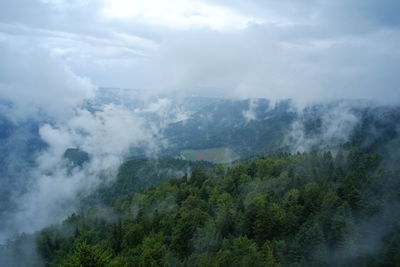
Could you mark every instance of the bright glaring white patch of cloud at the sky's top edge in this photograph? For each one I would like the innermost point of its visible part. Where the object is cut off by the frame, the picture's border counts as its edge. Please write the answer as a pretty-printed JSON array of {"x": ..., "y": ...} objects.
[{"x": 181, "y": 14}]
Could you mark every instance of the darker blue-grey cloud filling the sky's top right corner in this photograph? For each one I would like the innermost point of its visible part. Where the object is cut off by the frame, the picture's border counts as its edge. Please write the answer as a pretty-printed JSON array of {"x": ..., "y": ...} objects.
[{"x": 341, "y": 16}]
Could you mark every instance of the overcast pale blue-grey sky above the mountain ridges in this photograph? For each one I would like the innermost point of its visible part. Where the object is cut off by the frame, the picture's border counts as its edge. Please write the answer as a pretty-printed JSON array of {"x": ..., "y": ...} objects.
[{"x": 307, "y": 50}]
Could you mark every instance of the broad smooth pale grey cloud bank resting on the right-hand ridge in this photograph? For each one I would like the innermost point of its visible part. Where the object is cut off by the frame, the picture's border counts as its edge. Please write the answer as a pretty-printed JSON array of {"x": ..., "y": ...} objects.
[{"x": 256, "y": 62}]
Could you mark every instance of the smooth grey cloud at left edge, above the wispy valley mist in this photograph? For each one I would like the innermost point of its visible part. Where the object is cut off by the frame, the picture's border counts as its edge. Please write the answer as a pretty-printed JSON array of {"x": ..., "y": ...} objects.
[{"x": 34, "y": 83}]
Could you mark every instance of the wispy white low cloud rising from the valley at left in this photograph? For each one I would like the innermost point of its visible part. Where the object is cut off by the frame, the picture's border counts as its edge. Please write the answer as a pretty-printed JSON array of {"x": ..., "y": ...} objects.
[{"x": 106, "y": 136}]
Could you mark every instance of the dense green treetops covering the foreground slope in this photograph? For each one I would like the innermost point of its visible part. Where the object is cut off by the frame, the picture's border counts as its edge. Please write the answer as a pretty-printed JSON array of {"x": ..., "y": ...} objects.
[{"x": 296, "y": 210}]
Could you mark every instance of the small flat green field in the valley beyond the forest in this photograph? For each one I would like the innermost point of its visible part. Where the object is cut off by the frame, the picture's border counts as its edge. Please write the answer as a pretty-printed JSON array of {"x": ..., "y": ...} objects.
[{"x": 215, "y": 155}]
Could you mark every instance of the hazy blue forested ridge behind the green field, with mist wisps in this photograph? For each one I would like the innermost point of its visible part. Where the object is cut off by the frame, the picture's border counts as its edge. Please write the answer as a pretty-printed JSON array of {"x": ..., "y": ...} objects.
[{"x": 255, "y": 127}]
